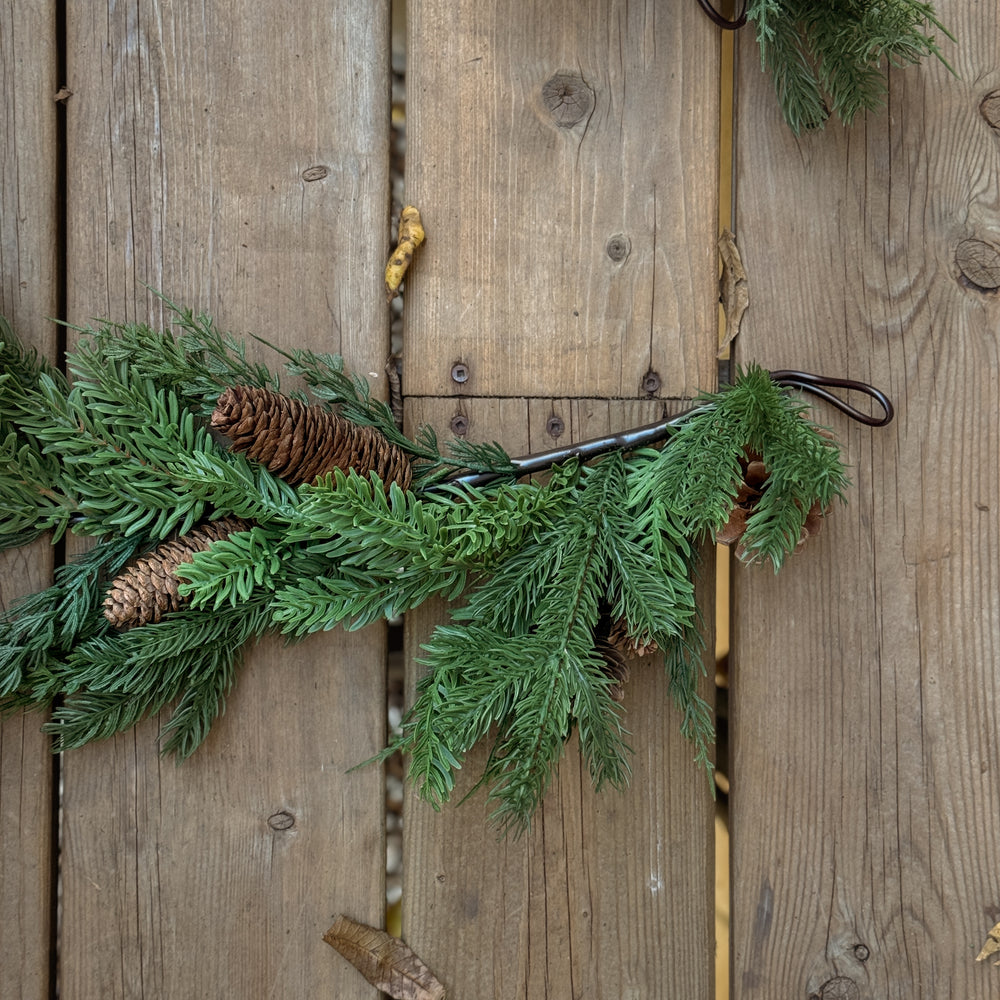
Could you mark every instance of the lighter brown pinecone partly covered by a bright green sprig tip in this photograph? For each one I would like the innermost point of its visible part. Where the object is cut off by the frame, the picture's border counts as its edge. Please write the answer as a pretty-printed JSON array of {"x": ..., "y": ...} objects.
[{"x": 147, "y": 588}]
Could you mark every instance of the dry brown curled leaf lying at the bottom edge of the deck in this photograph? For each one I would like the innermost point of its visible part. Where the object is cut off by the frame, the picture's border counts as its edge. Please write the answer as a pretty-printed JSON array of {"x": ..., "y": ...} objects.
[{"x": 383, "y": 960}]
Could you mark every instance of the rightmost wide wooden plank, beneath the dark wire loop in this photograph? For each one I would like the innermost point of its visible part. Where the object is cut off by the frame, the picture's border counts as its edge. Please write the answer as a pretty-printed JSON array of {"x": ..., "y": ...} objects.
[{"x": 865, "y": 800}]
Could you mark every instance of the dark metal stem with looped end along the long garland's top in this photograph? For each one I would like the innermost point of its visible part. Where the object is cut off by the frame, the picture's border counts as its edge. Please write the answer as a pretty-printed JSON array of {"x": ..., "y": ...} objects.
[{"x": 639, "y": 437}]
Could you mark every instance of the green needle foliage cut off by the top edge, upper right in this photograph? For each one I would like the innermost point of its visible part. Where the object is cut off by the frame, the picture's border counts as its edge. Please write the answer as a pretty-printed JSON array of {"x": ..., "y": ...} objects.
[{"x": 820, "y": 51}]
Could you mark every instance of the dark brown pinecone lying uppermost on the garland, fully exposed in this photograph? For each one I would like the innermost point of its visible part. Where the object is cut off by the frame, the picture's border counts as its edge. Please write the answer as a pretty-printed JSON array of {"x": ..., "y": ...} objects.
[{"x": 299, "y": 443}]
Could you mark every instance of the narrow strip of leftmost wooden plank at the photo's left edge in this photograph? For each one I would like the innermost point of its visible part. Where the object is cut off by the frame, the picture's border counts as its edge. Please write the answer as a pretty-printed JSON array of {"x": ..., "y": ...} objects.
[{"x": 29, "y": 295}]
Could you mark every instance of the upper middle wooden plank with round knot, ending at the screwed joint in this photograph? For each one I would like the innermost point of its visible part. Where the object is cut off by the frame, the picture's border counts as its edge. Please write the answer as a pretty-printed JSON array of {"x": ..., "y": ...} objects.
[{"x": 574, "y": 251}]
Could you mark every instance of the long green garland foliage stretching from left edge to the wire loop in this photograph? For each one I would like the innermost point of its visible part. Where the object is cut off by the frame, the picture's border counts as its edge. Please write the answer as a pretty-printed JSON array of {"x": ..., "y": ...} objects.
[{"x": 121, "y": 451}]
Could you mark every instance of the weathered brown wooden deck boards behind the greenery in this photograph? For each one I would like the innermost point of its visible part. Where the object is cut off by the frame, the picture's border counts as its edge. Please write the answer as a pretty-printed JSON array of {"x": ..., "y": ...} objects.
[{"x": 566, "y": 158}]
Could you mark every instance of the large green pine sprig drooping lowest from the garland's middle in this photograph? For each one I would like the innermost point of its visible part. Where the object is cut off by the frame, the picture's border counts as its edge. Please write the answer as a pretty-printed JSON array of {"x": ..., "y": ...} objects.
[{"x": 533, "y": 681}]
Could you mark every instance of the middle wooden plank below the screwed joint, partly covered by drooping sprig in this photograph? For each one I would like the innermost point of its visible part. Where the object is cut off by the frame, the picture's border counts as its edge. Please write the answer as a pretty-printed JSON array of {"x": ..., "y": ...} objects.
[{"x": 610, "y": 893}]
